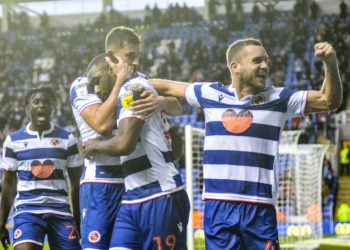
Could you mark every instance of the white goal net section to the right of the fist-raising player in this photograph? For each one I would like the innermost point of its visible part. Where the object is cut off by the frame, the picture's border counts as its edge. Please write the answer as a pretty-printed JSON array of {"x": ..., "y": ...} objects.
[{"x": 299, "y": 203}]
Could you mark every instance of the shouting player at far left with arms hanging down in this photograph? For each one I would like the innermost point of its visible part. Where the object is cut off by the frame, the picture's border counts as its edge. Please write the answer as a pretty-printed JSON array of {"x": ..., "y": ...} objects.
[{"x": 36, "y": 159}]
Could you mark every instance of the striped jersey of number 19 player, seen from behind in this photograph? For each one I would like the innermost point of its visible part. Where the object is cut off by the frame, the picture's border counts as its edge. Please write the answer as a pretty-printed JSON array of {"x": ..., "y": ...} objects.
[{"x": 149, "y": 171}]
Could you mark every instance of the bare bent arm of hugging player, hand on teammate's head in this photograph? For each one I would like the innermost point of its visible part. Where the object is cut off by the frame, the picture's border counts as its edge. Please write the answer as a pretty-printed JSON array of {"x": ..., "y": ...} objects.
[{"x": 101, "y": 117}]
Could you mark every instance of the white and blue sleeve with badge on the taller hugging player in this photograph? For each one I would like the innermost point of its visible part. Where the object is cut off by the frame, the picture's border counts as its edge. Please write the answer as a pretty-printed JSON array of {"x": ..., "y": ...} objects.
[{"x": 82, "y": 94}]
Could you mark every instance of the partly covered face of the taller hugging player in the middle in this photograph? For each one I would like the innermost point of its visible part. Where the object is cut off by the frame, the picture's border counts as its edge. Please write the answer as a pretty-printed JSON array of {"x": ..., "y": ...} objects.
[{"x": 130, "y": 53}]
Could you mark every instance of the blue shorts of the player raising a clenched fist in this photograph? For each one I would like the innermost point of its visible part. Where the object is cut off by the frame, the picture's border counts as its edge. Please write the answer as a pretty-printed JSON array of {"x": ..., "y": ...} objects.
[{"x": 240, "y": 225}]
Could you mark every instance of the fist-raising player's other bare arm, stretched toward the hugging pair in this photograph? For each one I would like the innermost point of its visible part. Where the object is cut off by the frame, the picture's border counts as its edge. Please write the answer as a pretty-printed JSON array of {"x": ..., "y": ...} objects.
[{"x": 169, "y": 88}]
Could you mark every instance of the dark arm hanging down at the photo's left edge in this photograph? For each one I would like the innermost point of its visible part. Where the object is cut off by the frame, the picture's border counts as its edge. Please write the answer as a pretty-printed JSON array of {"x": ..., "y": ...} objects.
[{"x": 9, "y": 189}]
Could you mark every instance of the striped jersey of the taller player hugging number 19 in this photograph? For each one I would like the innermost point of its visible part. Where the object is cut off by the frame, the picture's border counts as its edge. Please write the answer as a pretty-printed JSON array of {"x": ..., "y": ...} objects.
[{"x": 101, "y": 168}]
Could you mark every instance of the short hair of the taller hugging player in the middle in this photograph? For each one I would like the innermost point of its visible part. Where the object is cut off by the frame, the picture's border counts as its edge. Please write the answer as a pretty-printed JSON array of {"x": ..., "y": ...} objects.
[{"x": 118, "y": 35}]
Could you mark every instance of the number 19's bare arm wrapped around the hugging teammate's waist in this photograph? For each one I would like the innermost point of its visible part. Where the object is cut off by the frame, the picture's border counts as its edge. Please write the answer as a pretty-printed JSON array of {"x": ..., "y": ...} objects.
[{"x": 123, "y": 143}]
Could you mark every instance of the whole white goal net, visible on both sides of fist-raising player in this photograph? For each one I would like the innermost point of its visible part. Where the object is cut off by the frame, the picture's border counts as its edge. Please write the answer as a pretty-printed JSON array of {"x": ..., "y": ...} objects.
[{"x": 298, "y": 207}]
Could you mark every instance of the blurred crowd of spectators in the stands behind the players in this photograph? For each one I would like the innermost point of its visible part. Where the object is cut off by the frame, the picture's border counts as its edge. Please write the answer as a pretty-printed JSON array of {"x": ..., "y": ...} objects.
[{"x": 31, "y": 56}]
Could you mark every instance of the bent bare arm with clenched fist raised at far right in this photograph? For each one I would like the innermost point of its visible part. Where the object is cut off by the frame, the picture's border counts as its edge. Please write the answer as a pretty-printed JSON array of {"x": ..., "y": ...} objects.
[{"x": 330, "y": 95}]
